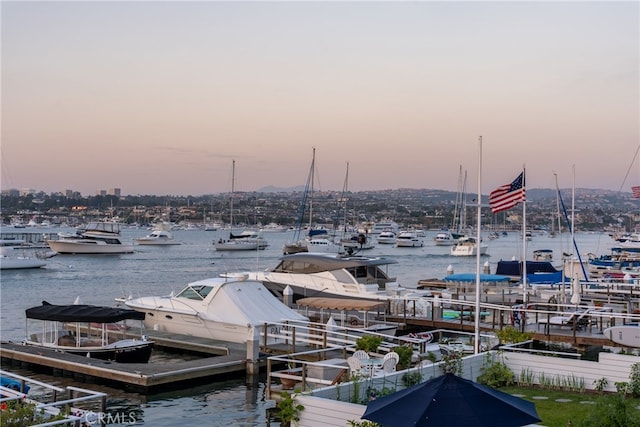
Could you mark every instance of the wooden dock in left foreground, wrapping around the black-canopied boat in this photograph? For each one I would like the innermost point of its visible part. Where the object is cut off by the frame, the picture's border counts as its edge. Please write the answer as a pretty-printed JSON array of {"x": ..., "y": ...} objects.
[{"x": 218, "y": 360}]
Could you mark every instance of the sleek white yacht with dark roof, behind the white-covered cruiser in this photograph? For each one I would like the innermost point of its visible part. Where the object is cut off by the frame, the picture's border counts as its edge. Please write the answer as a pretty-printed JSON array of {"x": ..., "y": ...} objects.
[{"x": 330, "y": 275}]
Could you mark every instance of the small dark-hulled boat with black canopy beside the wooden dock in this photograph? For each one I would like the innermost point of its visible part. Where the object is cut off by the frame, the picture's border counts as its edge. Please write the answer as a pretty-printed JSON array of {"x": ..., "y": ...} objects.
[{"x": 98, "y": 332}]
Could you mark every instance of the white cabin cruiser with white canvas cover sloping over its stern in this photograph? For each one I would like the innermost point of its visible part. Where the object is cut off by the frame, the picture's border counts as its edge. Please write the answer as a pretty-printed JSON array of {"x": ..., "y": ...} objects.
[{"x": 229, "y": 308}]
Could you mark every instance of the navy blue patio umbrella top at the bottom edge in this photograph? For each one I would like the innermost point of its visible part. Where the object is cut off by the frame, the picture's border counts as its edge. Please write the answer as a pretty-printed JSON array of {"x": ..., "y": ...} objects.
[{"x": 451, "y": 401}]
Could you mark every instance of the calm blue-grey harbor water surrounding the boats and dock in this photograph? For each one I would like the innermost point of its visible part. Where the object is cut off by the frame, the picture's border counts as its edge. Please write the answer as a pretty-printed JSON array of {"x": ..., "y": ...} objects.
[{"x": 99, "y": 279}]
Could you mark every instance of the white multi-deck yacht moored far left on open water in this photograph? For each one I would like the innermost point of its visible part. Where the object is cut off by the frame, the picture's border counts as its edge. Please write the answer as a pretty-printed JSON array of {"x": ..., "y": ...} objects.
[{"x": 95, "y": 238}]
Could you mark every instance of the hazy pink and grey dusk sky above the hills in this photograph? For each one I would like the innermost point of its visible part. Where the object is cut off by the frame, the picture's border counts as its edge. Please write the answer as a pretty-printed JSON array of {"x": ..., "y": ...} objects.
[{"x": 160, "y": 97}]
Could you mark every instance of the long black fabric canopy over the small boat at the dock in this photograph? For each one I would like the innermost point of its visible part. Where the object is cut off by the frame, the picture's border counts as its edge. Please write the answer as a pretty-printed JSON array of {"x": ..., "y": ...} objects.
[{"x": 81, "y": 313}]
